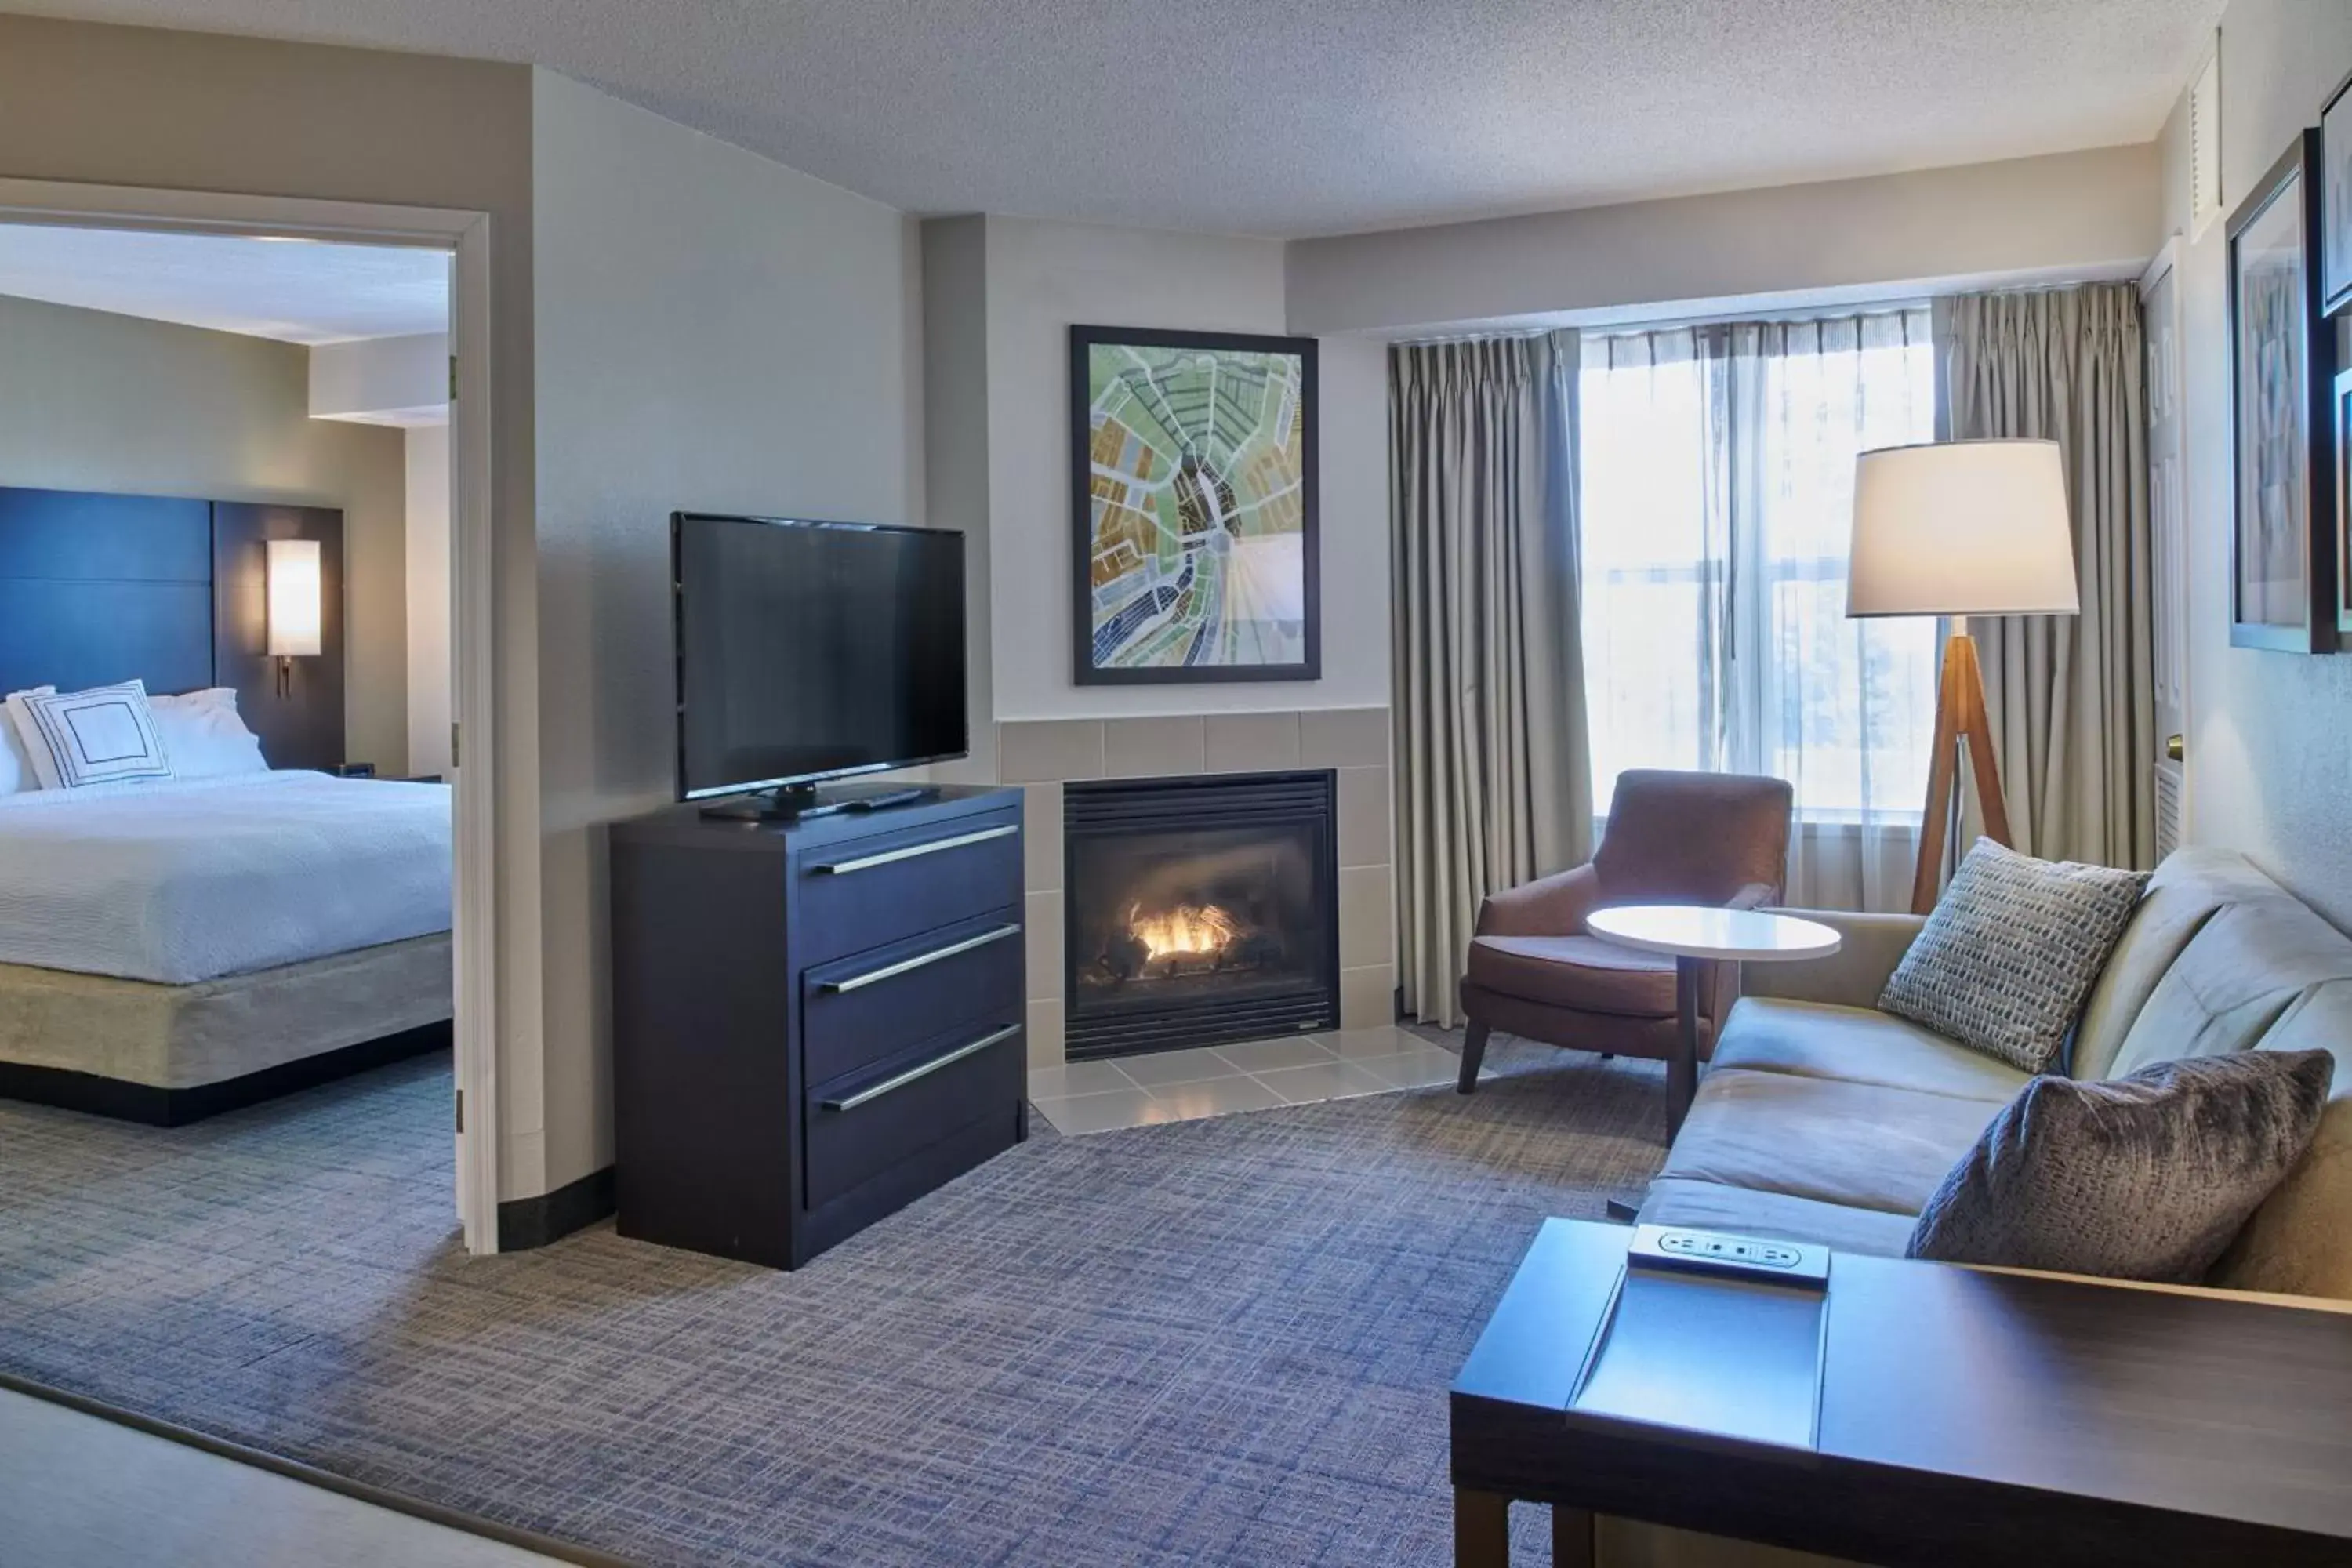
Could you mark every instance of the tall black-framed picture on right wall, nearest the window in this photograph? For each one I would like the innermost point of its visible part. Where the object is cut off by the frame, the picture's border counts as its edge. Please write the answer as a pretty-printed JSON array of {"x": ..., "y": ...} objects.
[{"x": 2283, "y": 544}]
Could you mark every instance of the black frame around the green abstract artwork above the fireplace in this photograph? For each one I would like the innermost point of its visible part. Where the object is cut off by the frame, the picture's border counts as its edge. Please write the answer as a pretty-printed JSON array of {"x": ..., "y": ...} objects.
[{"x": 1085, "y": 669}]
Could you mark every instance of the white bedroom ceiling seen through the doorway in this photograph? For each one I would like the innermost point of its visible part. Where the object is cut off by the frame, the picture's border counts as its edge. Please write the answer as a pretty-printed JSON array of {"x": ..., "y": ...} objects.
[{"x": 298, "y": 293}]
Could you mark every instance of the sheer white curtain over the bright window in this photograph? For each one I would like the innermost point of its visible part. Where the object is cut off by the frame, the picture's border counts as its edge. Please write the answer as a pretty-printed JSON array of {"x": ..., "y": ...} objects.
[{"x": 1718, "y": 490}]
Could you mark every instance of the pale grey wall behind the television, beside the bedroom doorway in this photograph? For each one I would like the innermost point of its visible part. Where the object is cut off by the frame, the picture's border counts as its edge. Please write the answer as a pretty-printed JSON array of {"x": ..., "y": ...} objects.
[{"x": 716, "y": 333}]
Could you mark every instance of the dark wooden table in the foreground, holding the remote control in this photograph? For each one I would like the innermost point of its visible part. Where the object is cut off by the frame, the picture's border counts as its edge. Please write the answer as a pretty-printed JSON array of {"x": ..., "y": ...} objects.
[{"x": 1963, "y": 1419}]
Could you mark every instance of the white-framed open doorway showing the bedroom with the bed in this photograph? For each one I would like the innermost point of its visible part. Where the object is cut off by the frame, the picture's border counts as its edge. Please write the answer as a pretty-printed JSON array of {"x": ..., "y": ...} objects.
[{"x": 232, "y": 610}]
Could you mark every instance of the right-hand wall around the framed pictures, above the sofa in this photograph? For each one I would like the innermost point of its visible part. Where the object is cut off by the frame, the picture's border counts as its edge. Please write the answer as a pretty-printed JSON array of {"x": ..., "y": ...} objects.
[{"x": 2271, "y": 735}]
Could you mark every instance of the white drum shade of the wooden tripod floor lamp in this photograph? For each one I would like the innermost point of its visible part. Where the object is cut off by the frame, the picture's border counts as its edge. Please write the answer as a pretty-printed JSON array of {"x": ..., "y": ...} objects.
[{"x": 1963, "y": 530}]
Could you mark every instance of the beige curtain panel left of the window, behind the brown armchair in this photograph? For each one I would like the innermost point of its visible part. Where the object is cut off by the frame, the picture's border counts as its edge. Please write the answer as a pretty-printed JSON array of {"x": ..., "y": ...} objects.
[{"x": 1495, "y": 784}]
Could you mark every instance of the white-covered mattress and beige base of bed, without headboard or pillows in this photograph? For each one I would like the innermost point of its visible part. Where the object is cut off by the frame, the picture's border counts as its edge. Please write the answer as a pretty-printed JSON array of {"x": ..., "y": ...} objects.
[{"x": 180, "y": 949}]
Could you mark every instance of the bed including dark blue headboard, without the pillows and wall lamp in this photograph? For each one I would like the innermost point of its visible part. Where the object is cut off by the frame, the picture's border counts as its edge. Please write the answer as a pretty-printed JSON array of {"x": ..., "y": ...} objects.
[{"x": 175, "y": 949}]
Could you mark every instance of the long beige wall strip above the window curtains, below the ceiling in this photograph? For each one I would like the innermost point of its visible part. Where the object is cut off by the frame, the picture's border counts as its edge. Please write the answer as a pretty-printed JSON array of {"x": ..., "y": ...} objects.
[{"x": 2069, "y": 215}]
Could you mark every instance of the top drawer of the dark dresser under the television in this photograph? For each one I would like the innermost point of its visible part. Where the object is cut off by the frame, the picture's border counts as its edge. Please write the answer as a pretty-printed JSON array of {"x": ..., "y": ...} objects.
[{"x": 883, "y": 887}]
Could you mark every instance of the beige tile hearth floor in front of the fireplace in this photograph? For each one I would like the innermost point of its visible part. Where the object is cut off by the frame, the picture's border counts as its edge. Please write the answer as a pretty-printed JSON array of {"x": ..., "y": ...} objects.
[{"x": 1217, "y": 1080}]
